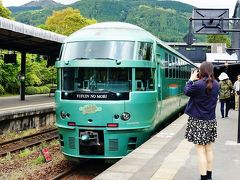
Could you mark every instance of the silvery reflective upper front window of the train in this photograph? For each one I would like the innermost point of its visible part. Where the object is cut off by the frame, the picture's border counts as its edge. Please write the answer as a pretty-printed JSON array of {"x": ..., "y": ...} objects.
[{"x": 99, "y": 49}]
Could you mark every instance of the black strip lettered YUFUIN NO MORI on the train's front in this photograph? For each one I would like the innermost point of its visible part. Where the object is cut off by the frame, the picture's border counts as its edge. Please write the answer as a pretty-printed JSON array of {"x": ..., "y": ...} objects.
[{"x": 95, "y": 95}]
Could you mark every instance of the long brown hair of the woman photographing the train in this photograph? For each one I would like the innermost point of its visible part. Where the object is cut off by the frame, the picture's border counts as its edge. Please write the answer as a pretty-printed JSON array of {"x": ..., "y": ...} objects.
[{"x": 206, "y": 71}]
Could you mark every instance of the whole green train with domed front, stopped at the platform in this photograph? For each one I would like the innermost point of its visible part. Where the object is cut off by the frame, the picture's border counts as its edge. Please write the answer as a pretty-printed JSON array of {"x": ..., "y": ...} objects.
[{"x": 116, "y": 84}]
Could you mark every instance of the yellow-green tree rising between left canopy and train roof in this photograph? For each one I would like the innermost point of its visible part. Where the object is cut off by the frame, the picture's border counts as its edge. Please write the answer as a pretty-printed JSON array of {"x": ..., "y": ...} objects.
[{"x": 67, "y": 21}]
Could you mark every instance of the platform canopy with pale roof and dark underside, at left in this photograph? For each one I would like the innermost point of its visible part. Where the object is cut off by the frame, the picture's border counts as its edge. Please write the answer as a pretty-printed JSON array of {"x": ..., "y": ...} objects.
[{"x": 25, "y": 38}]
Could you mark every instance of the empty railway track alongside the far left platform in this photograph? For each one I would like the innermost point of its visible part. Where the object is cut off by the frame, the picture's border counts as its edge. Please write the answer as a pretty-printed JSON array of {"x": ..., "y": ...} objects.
[{"x": 27, "y": 141}]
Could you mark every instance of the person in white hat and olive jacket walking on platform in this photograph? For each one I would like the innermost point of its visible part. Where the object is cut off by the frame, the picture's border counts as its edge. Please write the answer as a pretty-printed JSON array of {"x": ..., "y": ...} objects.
[{"x": 225, "y": 93}]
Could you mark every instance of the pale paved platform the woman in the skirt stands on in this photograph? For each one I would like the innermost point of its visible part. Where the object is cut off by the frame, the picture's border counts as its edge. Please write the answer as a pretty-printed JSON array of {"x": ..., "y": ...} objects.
[{"x": 169, "y": 156}]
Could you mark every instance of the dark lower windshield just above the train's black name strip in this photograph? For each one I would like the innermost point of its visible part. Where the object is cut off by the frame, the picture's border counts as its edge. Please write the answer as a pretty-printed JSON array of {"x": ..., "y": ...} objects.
[{"x": 96, "y": 79}]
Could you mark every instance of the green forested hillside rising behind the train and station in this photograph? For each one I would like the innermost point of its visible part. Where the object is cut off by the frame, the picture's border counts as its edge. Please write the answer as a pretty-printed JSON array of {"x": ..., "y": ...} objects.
[{"x": 167, "y": 20}]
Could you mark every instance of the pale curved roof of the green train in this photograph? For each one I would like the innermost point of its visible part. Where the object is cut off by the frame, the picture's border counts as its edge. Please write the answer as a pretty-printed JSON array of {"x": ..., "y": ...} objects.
[{"x": 117, "y": 31}]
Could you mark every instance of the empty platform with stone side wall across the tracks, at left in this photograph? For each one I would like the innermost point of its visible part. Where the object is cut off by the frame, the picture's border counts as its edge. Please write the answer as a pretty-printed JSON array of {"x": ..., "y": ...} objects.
[{"x": 37, "y": 111}]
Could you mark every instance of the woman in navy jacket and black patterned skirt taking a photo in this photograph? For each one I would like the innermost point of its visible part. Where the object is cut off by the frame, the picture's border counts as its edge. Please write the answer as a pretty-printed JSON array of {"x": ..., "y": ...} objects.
[{"x": 201, "y": 129}]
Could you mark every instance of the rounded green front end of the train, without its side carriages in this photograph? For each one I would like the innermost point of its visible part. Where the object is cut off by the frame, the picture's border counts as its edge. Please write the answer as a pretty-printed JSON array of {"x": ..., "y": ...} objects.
[{"x": 106, "y": 99}]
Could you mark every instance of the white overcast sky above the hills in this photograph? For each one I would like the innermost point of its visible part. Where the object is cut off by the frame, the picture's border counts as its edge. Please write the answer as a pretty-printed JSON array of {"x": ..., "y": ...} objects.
[{"x": 229, "y": 4}]
